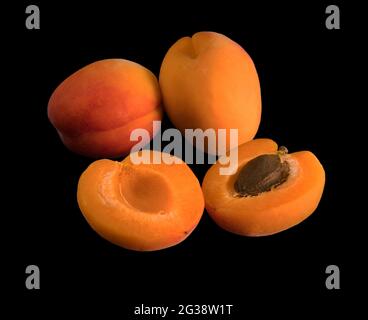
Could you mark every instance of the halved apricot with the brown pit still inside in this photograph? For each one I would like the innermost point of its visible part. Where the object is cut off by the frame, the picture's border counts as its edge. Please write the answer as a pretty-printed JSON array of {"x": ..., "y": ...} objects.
[{"x": 270, "y": 192}]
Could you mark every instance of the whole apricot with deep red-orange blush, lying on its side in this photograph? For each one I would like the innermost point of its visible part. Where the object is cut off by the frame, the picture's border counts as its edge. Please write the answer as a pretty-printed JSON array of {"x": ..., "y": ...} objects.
[{"x": 96, "y": 108}]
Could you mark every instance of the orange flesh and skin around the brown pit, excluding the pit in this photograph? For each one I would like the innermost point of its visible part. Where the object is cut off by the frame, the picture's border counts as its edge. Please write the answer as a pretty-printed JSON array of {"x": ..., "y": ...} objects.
[{"x": 270, "y": 212}]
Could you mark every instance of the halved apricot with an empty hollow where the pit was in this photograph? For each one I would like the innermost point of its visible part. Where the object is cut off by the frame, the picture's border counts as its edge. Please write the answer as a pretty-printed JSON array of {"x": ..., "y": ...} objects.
[{"x": 143, "y": 206}]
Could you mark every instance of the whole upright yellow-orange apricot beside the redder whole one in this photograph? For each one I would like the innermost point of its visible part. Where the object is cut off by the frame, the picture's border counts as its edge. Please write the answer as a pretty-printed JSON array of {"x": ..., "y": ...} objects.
[{"x": 209, "y": 81}]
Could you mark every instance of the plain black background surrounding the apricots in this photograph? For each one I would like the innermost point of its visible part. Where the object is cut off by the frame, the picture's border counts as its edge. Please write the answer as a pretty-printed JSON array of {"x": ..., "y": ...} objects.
[{"x": 306, "y": 81}]
